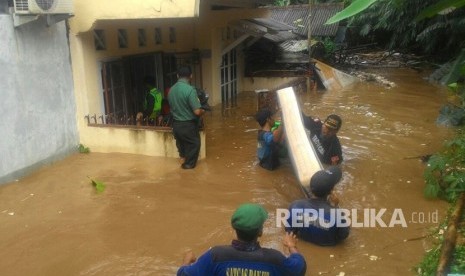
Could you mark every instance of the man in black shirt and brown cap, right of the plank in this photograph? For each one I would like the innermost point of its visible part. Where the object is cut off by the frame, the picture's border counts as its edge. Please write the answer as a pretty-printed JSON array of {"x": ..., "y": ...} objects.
[{"x": 323, "y": 136}]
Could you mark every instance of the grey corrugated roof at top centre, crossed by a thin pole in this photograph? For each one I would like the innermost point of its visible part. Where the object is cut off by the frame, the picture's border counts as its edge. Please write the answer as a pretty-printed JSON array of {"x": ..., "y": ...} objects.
[{"x": 298, "y": 16}]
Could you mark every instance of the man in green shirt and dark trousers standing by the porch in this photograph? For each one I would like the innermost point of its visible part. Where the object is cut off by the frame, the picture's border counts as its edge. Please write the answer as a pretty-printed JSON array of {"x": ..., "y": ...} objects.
[{"x": 186, "y": 111}]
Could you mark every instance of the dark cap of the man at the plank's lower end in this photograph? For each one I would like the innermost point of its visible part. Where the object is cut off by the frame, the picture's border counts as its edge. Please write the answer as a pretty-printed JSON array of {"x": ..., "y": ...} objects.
[{"x": 323, "y": 182}]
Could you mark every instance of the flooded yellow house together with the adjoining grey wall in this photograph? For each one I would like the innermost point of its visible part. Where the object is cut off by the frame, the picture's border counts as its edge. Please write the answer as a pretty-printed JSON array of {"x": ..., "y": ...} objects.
[{"x": 74, "y": 71}]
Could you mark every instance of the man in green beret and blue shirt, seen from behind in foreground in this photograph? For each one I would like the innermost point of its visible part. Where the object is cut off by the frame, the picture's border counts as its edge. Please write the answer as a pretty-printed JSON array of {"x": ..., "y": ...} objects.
[{"x": 245, "y": 256}]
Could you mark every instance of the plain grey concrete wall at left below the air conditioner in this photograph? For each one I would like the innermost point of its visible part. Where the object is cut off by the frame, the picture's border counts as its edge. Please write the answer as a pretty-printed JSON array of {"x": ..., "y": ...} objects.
[{"x": 38, "y": 122}]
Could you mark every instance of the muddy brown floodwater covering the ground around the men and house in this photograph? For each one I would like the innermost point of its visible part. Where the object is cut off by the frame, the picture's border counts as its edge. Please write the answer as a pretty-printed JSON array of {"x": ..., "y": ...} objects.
[{"x": 53, "y": 223}]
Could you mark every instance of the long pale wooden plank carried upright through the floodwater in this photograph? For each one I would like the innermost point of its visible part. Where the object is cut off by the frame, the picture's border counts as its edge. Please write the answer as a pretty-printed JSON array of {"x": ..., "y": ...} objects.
[{"x": 302, "y": 154}]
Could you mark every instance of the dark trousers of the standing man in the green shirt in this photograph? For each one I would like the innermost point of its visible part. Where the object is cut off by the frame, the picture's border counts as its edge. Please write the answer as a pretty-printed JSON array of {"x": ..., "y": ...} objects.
[{"x": 187, "y": 138}]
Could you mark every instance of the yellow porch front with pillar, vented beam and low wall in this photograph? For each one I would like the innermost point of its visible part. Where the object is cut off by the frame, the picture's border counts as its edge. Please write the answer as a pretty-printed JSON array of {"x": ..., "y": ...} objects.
[{"x": 88, "y": 84}]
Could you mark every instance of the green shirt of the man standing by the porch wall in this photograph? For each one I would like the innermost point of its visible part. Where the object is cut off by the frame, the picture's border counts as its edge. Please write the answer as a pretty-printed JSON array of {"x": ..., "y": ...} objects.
[{"x": 183, "y": 101}]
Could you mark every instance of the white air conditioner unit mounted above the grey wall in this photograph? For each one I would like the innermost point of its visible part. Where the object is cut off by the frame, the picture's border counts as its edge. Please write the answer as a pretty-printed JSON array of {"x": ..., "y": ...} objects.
[{"x": 43, "y": 6}]
